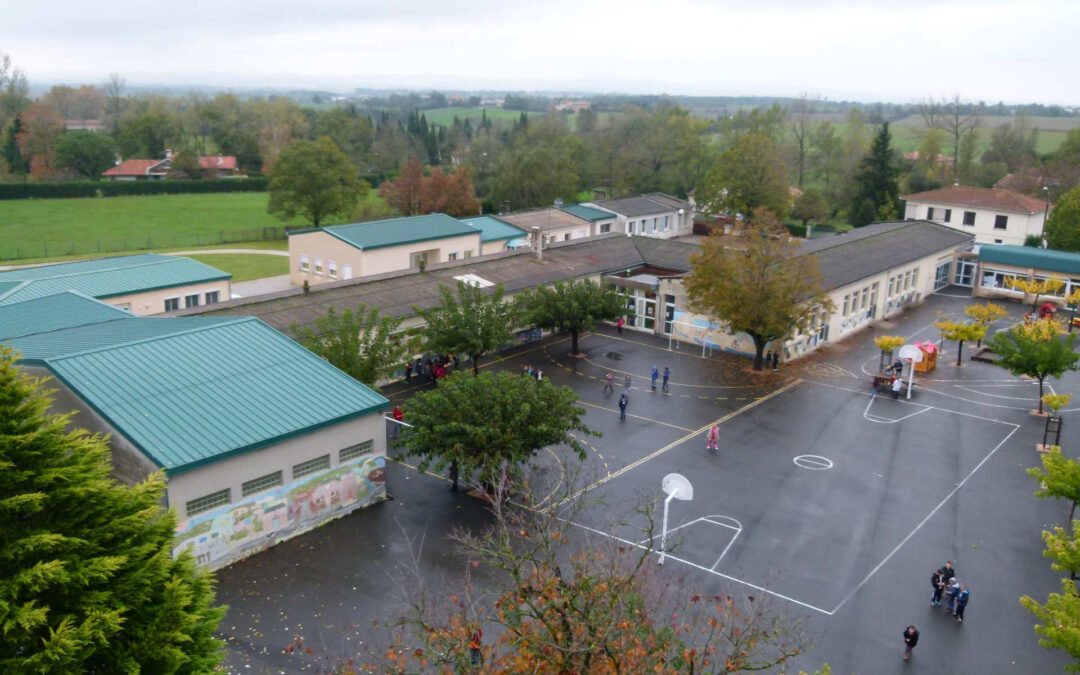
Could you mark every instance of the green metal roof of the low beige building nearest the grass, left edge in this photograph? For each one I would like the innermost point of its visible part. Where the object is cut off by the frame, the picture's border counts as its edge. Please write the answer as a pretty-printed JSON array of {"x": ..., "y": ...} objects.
[{"x": 106, "y": 277}]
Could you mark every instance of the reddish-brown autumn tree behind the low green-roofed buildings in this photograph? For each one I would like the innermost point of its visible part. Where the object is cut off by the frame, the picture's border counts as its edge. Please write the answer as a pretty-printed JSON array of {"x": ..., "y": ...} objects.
[{"x": 415, "y": 193}]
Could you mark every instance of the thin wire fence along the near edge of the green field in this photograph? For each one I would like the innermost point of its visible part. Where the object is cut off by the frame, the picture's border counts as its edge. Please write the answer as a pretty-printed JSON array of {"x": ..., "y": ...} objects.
[{"x": 17, "y": 251}]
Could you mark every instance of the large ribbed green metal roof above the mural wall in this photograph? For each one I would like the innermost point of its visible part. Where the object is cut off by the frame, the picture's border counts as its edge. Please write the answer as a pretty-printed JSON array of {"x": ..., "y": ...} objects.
[{"x": 191, "y": 391}]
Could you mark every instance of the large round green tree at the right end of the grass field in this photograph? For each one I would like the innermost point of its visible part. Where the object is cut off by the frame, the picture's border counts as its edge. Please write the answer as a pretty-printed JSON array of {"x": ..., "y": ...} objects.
[{"x": 316, "y": 181}]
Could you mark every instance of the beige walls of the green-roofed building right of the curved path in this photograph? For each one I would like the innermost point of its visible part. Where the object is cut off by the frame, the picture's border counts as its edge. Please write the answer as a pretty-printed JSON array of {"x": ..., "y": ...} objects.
[{"x": 341, "y": 261}]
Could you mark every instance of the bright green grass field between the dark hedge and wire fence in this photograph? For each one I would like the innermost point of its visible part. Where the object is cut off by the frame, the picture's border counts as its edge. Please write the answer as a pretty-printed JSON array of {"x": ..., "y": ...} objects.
[{"x": 34, "y": 229}]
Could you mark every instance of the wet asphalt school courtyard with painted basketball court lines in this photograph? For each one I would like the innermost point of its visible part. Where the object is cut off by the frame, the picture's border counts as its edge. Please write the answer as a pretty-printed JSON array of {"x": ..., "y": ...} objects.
[{"x": 836, "y": 503}]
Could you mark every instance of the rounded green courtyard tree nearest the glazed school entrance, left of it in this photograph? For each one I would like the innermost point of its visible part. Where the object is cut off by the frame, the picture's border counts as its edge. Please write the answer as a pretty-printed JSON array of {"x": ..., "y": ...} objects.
[{"x": 575, "y": 306}]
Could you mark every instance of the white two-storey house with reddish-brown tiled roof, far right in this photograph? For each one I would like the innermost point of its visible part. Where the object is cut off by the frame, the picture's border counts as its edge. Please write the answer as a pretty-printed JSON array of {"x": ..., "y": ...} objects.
[{"x": 994, "y": 217}]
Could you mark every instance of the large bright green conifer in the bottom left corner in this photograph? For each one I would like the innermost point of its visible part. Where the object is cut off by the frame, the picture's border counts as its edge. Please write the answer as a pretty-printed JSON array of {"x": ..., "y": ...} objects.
[{"x": 88, "y": 582}]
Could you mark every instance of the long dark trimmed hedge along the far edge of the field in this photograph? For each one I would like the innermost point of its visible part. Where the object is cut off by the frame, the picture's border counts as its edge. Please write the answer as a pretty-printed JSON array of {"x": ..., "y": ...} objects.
[{"x": 121, "y": 188}]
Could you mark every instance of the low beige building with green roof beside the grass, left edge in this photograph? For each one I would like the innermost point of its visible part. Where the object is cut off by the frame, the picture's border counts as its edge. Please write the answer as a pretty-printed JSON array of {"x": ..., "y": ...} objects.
[{"x": 142, "y": 285}]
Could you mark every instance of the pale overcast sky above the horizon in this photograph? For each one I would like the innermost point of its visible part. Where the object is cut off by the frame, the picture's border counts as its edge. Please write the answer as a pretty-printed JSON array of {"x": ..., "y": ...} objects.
[{"x": 1017, "y": 51}]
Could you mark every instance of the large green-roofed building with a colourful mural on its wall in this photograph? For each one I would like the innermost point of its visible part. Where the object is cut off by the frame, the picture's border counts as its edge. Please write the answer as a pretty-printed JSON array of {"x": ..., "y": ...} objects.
[{"x": 259, "y": 439}]
